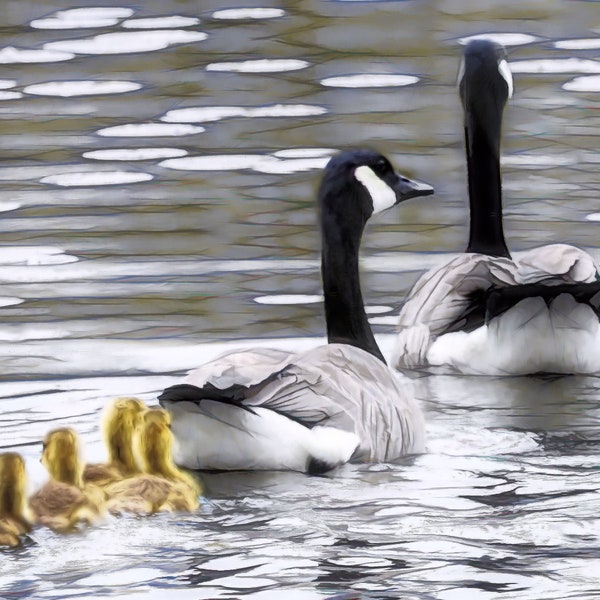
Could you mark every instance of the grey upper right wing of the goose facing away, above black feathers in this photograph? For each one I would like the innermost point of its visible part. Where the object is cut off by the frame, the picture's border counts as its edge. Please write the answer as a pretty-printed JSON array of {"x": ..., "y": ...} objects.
[{"x": 556, "y": 264}]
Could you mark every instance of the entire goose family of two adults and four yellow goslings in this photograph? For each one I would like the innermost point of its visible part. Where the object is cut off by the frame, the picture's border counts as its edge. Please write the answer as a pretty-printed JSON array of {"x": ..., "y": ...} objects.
[{"x": 482, "y": 312}]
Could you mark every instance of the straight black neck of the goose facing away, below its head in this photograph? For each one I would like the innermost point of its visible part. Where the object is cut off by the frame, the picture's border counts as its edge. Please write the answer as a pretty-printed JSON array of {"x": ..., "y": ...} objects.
[{"x": 486, "y": 235}]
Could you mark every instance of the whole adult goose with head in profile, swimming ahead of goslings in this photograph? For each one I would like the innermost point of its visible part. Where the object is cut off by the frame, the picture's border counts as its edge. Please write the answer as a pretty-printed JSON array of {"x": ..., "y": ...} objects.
[{"x": 312, "y": 411}]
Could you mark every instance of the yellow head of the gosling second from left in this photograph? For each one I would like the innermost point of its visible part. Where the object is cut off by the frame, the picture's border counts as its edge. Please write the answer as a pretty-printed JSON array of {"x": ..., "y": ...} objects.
[{"x": 61, "y": 457}]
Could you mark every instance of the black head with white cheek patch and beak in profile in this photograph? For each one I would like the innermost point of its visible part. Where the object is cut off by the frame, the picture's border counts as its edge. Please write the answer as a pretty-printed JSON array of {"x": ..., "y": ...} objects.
[{"x": 359, "y": 183}]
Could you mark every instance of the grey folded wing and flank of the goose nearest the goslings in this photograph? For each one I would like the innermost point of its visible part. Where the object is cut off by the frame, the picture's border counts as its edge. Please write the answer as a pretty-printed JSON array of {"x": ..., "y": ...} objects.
[{"x": 340, "y": 386}]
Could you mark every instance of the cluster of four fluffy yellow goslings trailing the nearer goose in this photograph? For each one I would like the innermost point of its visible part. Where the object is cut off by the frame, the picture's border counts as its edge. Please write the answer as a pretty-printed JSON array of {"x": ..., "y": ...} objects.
[{"x": 140, "y": 476}]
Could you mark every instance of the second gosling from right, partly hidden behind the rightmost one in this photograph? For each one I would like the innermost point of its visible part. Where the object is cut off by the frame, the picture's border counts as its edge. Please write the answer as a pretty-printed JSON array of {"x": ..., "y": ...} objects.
[{"x": 120, "y": 420}]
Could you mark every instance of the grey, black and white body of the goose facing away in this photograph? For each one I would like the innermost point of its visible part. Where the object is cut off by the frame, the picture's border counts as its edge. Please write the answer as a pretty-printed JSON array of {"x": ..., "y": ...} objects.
[{"x": 477, "y": 315}]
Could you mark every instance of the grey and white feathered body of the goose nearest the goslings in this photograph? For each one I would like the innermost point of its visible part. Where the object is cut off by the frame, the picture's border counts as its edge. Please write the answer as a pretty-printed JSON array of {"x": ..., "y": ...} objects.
[{"x": 330, "y": 404}]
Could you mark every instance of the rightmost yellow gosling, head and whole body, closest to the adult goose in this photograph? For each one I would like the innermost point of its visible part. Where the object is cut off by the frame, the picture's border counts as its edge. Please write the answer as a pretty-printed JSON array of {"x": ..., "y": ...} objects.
[{"x": 161, "y": 486}]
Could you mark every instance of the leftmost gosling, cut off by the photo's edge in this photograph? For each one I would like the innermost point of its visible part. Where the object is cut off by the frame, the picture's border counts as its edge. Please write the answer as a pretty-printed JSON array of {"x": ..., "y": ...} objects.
[{"x": 14, "y": 521}]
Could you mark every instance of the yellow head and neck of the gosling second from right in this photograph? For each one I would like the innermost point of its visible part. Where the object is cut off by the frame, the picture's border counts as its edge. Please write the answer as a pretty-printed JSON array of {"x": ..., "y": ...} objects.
[{"x": 120, "y": 421}]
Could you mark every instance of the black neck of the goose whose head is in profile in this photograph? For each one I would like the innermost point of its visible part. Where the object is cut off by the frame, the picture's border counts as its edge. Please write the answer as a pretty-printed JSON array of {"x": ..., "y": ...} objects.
[{"x": 345, "y": 314}]
